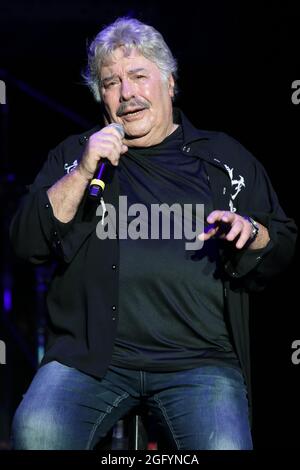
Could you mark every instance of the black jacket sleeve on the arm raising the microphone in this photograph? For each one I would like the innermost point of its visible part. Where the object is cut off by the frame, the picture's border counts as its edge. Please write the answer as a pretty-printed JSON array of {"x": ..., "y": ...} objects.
[{"x": 36, "y": 235}]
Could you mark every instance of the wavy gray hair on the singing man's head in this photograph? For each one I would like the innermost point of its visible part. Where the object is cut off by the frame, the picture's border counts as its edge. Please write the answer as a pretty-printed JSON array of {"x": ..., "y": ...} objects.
[{"x": 129, "y": 33}]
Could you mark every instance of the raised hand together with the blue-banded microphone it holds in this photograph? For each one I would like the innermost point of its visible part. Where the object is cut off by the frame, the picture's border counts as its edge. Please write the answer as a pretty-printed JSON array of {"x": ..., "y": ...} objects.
[{"x": 104, "y": 144}]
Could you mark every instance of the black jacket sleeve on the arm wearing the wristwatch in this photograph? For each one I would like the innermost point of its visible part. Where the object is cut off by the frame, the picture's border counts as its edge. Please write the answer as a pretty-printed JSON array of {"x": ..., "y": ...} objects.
[{"x": 255, "y": 268}]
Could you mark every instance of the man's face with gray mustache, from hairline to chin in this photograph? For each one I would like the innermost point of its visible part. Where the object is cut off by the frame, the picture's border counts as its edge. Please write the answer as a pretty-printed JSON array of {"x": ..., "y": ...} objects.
[{"x": 135, "y": 95}]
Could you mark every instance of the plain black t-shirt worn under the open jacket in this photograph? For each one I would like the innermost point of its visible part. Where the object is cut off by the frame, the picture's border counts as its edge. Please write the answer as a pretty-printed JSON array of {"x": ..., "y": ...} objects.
[{"x": 171, "y": 306}]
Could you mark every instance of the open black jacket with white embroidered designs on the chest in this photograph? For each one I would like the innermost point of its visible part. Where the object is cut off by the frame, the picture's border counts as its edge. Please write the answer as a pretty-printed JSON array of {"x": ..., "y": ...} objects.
[{"x": 83, "y": 297}]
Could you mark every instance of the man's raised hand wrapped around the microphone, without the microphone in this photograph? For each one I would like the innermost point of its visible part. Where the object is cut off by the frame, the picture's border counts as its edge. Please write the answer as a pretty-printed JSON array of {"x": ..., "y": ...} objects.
[{"x": 106, "y": 143}]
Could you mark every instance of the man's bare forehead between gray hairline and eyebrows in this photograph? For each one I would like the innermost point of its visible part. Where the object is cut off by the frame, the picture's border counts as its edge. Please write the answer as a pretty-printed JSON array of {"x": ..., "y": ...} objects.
[{"x": 118, "y": 61}]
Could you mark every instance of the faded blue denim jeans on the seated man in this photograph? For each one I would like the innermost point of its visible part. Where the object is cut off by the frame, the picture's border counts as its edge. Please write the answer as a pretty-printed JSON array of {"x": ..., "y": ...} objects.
[{"x": 197, "y": 409}]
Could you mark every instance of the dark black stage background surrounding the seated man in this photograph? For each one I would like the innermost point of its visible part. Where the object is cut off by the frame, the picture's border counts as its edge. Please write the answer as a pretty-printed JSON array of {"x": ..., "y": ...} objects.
[{"x": 237, "y": 62}]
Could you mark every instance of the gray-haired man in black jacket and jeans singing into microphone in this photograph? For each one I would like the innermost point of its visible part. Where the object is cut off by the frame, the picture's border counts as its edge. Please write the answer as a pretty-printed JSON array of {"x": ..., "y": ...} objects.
[{"x": 134, "y": 319}]
